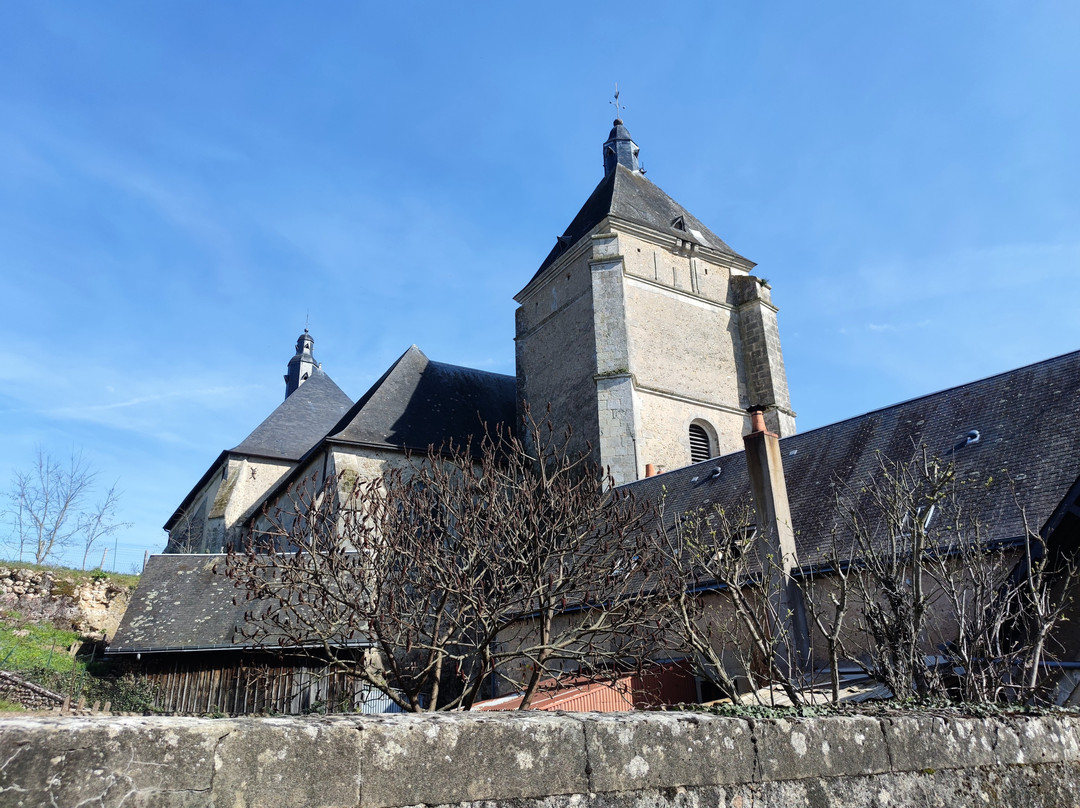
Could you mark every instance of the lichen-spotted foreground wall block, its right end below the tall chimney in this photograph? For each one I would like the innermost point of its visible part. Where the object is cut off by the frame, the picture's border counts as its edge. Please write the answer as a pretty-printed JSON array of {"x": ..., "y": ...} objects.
[{"x": 630, "y": 751}]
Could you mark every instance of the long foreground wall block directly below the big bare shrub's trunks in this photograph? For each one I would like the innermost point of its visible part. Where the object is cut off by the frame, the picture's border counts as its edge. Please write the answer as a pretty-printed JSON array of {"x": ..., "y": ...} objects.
[{"x": 450, "y": 759}]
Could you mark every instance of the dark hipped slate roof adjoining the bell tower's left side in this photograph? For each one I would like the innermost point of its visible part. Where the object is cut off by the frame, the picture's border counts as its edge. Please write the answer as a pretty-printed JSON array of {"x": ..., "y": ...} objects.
[{"x": 421, "y": 403}]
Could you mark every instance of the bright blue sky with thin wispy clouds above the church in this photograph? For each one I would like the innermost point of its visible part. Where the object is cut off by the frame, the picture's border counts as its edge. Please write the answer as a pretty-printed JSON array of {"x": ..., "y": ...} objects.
[{"x": 183, "y": 184}]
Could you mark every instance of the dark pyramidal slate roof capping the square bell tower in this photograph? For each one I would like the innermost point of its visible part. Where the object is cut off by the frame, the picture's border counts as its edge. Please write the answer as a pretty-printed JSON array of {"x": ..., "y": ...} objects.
[{"x": 628, "y": 195}]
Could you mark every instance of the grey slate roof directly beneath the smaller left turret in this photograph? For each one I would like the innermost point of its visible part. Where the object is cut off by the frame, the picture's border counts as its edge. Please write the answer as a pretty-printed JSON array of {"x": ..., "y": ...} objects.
[{"x": 300, "y": 422}]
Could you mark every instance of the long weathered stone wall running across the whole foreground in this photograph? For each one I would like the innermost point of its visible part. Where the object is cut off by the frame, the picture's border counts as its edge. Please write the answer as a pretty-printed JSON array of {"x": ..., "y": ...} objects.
[{"x": 541, "y": 761}]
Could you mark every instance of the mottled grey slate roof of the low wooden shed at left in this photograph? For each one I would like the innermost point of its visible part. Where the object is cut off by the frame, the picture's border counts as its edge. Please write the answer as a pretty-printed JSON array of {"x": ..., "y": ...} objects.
[{"x": 181, "y": 604}]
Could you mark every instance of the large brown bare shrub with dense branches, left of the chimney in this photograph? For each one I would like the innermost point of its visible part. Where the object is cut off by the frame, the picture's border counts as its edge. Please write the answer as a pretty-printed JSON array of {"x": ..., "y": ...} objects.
[{"x": 502, "y": 565}]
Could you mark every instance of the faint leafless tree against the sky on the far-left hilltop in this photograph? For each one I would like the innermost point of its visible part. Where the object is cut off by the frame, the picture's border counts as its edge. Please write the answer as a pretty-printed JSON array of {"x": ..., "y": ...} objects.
[{"x": 52, "y": 511}]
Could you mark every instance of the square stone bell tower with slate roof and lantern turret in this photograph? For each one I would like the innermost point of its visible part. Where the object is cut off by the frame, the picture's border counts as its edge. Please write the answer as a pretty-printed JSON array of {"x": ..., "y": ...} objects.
[{"x": 646, "y": 333}]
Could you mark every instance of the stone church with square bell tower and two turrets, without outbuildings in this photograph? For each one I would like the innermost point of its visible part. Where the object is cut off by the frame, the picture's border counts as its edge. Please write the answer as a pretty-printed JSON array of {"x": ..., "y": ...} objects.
[{"x": 642, "y": 329}]
